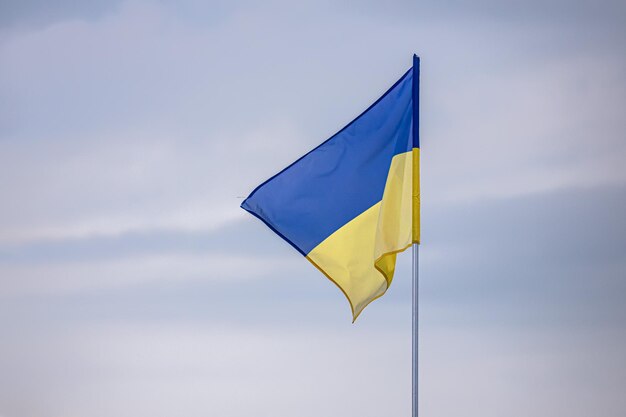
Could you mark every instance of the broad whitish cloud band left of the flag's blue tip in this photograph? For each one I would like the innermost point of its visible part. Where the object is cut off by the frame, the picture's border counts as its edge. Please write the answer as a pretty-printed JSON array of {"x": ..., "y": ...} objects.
[{"x": 134, "y": 181}]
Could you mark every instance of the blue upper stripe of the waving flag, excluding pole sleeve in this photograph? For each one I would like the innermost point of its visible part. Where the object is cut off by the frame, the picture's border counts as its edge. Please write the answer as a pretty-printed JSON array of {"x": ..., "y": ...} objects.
[{"x": 341, "y": 178}]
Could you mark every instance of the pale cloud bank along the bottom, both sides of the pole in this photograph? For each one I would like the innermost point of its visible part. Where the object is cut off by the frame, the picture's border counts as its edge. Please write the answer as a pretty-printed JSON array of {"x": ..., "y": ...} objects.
[{"x": 135, "y": 368}]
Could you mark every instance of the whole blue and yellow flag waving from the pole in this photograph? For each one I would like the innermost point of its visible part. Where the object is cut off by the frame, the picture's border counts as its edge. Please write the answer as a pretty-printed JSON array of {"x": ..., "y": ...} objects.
[{"x": 351, "y": 204}]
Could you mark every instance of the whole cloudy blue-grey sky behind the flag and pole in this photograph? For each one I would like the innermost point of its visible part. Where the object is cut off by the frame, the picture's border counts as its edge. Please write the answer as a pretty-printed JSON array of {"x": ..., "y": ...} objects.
[{"x": 132, "y": 284}]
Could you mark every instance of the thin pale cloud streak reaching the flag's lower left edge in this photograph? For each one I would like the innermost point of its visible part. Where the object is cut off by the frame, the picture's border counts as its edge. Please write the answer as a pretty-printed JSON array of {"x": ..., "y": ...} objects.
[{"x": 88, "y": 276}]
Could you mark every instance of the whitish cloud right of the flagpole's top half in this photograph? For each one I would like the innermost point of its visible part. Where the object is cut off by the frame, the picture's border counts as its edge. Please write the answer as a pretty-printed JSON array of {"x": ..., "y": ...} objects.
[{"x": 547, "y": 125}]
